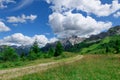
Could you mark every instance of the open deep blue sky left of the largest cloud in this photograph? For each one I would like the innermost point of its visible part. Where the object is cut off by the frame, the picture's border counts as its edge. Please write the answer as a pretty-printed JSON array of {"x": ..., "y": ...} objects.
[{"x": 38, "y": 26}]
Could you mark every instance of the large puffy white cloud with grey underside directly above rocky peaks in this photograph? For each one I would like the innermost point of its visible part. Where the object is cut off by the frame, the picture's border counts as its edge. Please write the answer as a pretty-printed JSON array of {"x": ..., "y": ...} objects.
[{"x": 68, "y": 24}]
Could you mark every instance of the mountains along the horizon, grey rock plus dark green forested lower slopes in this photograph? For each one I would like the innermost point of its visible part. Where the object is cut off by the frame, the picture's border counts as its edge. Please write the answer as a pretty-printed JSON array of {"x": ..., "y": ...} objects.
[{"x": 73, "y": 43}]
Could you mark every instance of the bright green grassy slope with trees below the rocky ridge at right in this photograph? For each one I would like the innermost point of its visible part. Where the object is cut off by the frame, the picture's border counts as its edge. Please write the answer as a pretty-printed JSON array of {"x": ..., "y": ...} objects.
[{"x": 106, "y": 45}]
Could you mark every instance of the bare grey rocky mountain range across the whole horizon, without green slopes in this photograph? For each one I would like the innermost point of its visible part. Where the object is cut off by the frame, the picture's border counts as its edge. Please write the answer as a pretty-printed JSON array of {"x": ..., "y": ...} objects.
[{"x": 71, "y": 41}]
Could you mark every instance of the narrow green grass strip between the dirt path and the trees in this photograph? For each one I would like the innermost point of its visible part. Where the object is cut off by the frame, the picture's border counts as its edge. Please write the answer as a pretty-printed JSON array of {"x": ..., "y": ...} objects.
[{"x": 8, "y": 65}]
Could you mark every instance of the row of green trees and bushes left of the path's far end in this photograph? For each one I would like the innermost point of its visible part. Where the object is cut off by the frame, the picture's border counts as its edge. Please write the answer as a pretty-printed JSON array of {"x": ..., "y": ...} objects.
[{"x": 10, "y": 54}]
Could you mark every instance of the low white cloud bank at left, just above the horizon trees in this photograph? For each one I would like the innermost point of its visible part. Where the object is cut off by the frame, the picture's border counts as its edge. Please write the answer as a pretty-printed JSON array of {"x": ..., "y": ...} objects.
[{"x": 20, "y": 39}]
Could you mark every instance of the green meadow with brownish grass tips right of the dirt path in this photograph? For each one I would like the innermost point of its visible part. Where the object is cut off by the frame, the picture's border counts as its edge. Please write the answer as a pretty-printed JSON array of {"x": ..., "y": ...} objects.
[{"x": 91, "y": 67}]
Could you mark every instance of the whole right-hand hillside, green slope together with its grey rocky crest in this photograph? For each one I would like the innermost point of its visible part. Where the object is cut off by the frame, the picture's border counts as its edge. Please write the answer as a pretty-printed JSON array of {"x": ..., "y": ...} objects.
[{"x": 105, "y": 42}]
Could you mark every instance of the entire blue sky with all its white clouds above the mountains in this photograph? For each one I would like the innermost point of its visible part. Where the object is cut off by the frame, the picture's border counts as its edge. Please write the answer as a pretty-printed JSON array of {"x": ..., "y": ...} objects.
[{"x": 24, "y": 21}]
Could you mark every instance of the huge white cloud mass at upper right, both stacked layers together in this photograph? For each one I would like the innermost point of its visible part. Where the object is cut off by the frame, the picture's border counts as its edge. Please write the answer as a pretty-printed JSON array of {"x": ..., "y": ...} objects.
[{"x": 65, "y": 23}]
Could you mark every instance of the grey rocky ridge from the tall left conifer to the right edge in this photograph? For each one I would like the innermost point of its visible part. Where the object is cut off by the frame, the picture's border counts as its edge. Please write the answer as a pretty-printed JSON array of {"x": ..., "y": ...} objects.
[{"x": 71, "y": 41}]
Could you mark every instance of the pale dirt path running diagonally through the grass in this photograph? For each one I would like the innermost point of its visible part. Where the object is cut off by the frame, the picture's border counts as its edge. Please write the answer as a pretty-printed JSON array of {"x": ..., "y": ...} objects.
[{"x": 16, "y": 72}]
